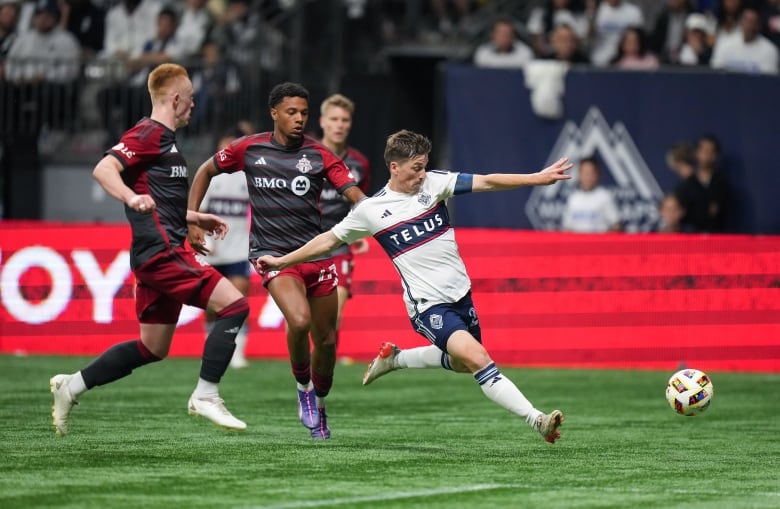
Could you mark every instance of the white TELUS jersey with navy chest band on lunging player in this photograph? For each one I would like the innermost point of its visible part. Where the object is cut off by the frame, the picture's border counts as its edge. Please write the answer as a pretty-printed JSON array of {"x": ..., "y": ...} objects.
[{"x": 415, "y": 231}]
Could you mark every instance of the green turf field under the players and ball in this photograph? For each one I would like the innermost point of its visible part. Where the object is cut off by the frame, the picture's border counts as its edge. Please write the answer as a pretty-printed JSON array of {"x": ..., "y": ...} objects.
[{"x": 414, "y": 439}]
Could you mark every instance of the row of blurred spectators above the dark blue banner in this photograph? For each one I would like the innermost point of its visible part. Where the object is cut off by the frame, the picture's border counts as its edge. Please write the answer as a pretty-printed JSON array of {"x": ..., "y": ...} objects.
[{"x": 732, "y": 35}]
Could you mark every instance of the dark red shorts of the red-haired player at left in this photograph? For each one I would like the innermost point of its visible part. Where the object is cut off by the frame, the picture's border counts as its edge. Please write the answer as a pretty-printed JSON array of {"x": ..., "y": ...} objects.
[{"x": 169, "y": 280}]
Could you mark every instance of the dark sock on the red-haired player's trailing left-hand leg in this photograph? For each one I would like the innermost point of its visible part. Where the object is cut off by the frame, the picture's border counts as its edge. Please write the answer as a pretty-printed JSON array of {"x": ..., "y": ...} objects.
[{"x": 117, "y": 362}]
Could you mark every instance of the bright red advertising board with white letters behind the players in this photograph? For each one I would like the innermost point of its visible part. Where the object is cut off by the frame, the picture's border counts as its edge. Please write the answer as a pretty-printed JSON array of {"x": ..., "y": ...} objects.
[{"x": 644, "y": 301}]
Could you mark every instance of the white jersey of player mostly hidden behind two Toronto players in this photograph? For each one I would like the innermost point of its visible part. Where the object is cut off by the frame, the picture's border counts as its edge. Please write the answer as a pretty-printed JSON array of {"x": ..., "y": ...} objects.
[{"x": 228, "y": 198}]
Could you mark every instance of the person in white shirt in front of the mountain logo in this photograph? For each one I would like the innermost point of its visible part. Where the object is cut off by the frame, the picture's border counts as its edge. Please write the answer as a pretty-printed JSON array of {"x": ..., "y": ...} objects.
[{"x": 590, "y": 208}]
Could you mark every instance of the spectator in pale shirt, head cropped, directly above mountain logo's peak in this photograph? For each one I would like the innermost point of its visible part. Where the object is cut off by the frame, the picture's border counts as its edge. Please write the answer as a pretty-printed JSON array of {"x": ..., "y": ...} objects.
[{"x": 608, "y": 21}]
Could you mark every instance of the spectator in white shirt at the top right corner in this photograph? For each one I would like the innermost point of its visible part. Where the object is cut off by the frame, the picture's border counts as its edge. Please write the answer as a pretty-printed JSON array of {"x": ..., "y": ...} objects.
[{"x": 749, "y": 51}]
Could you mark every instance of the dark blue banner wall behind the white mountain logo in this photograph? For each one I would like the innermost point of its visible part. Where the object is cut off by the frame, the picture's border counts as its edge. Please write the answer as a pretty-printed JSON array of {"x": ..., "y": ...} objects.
[{"x": 629, "y": 120}]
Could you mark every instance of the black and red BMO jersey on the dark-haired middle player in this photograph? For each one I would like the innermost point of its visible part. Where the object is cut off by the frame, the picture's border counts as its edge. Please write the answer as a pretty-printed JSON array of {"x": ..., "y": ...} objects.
[{"x": 285, "y": 184}]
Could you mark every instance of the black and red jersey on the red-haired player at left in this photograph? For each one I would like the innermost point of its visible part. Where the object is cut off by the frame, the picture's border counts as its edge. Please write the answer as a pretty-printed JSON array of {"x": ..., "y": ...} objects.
[{"x": 153, "y": 165}]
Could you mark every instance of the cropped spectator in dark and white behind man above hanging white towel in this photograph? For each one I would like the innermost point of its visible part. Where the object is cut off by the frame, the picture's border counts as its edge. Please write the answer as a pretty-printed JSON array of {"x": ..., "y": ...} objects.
[{"x": 544, "y": 19}]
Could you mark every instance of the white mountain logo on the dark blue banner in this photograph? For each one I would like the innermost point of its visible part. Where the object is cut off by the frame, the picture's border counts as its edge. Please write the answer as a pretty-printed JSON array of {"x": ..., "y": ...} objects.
[{"x": 623, "y": 172}]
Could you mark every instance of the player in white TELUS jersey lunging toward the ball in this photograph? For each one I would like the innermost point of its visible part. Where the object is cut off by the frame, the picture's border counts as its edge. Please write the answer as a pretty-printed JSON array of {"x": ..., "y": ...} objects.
[{"x": 409, "y": 219}]
